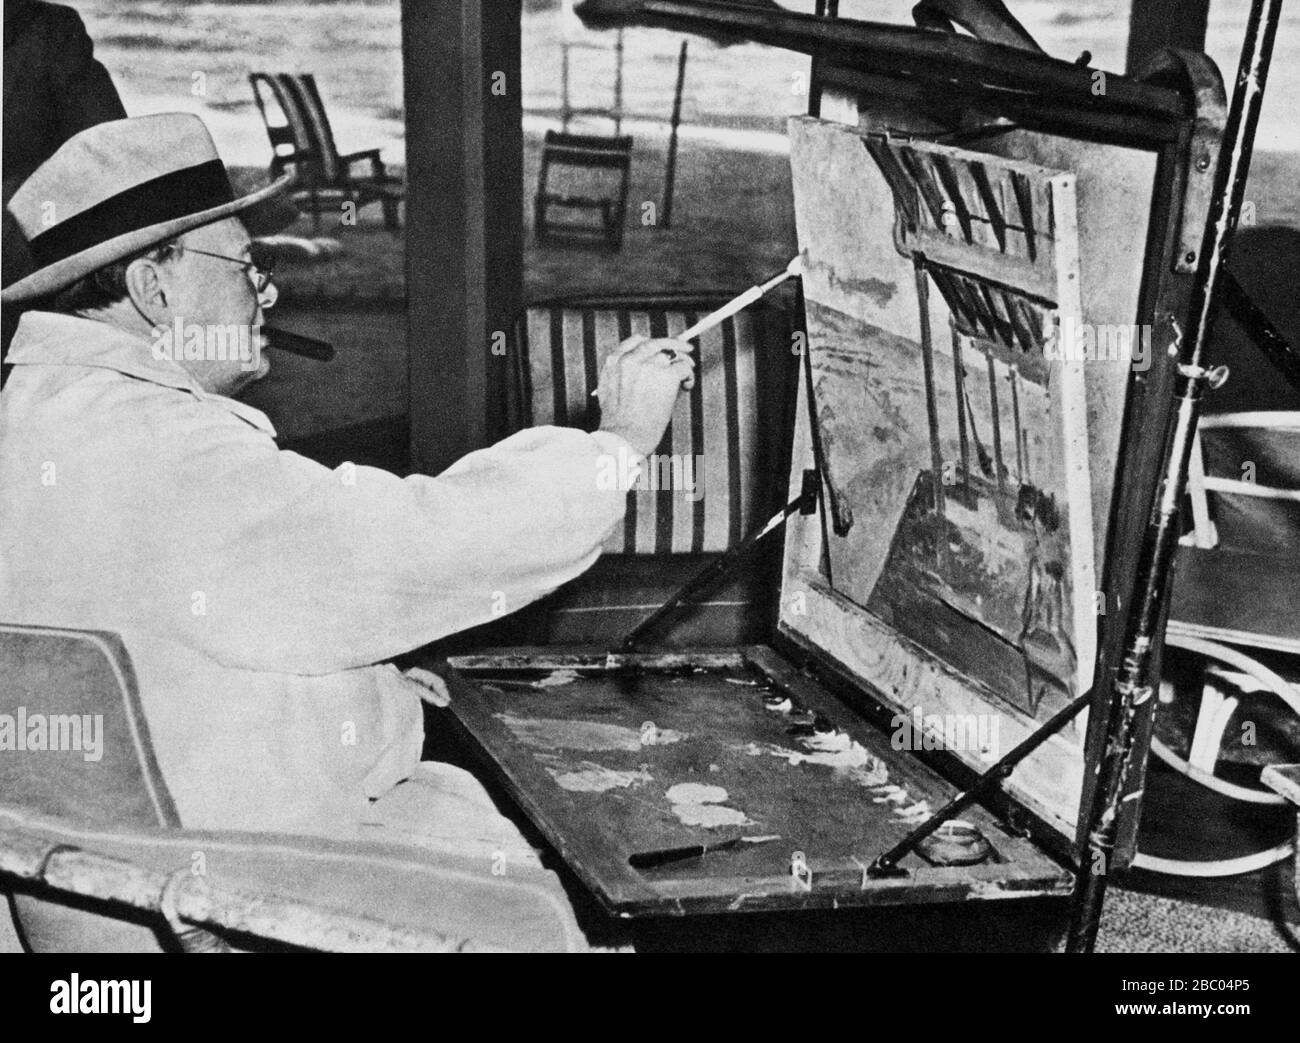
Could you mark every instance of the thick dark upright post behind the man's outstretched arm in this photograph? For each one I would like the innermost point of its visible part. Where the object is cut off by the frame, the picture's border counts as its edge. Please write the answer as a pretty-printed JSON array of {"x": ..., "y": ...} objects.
[{"x": 465, "y": 237}]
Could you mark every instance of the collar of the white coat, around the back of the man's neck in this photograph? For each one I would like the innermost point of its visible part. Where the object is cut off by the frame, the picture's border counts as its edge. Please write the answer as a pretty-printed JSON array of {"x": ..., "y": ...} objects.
[{"x": 50, "y": 339}]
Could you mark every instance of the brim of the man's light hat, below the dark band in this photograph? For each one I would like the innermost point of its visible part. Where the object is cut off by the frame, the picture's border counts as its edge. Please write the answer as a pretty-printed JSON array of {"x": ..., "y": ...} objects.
[{"x": 262, "y": 211}]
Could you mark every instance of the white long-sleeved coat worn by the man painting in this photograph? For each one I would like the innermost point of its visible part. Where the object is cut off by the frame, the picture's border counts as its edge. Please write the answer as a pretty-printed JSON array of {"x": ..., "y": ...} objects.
[{"x": 257, "y": 590}]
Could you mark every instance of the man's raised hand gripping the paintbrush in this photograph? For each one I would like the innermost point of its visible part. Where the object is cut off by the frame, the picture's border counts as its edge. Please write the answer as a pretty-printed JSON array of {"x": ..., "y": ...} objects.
[{"x": 639, "y": 389}]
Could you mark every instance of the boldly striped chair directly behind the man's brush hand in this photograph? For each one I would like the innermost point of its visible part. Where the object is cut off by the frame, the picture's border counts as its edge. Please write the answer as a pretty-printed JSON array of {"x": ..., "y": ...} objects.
[{"x": 718, "y": 473}]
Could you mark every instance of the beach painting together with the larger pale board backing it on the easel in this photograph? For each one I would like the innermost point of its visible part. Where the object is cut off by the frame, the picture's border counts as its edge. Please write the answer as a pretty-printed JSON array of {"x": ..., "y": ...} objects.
[{"x": 967, "y": 438}]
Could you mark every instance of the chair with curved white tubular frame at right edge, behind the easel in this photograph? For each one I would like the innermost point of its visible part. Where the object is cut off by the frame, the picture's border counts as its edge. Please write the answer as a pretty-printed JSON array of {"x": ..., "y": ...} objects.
[{"x": 1236, "y": 608}]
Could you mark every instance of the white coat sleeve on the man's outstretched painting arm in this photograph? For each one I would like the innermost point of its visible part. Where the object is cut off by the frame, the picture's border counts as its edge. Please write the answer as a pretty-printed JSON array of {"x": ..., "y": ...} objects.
[{"x": 307, "y": 570}]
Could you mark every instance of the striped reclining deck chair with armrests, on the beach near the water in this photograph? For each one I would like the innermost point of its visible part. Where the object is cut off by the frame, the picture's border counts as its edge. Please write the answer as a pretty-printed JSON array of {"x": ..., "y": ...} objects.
[{"x": 305, "y": 144}]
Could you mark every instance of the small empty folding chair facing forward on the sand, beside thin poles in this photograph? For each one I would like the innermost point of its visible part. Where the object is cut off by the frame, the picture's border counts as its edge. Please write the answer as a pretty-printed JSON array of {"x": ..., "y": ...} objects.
[{"x": 596, "y": 155}]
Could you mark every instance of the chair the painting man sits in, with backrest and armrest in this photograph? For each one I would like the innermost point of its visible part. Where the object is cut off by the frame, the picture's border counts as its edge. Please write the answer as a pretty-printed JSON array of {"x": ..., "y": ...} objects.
[{"x": 96, "y": 859}]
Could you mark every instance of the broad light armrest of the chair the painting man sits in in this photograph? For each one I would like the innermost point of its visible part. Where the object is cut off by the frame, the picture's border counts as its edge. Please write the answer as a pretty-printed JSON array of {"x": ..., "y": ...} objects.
[{"x": 294, "y": 890}]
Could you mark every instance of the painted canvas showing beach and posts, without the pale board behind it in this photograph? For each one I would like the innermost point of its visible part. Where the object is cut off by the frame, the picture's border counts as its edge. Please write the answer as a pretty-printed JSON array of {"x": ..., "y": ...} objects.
[{"x": 952, "y": 422}]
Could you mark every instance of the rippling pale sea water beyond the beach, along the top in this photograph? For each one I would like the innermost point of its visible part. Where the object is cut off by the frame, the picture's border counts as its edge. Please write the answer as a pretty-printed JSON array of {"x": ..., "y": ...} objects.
[{"x": 197, "y": 57}]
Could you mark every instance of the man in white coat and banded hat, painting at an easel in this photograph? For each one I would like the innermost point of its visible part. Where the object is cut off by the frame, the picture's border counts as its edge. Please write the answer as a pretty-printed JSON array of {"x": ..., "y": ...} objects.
[{"x": 258, "y": 592}]
